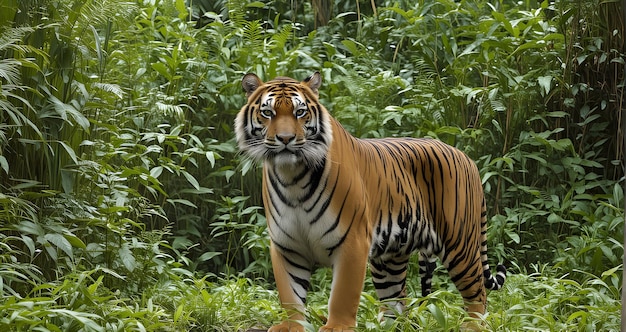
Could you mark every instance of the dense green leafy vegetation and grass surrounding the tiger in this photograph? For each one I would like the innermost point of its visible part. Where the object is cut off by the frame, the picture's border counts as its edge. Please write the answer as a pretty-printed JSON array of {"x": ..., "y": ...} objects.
[{"x": 125, "y": 206}]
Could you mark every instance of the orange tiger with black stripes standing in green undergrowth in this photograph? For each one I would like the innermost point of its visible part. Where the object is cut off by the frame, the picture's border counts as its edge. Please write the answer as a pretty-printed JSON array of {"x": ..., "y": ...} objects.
[{"x": 334, "y": 200}]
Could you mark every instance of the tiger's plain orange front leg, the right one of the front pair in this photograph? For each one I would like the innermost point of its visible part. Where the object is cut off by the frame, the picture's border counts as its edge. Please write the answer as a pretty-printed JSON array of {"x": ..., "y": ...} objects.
[{"x": 348, "y": 278}]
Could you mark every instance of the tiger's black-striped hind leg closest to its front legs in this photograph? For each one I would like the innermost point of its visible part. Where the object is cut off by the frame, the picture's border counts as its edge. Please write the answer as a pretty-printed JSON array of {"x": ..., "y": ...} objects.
[{"x": 389, "y": 278}]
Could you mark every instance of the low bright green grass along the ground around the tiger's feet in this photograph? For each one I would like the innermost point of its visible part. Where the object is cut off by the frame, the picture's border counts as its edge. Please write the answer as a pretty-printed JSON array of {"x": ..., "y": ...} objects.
[{"x": 540, "y": 301}]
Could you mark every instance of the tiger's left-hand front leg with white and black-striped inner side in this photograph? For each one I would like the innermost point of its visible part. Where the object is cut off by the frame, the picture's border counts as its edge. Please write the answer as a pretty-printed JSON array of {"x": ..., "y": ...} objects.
[{"x": 292, "y": 283}]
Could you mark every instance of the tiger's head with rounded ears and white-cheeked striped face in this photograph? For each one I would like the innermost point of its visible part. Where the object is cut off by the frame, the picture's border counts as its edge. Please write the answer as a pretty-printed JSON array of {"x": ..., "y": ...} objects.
[{"x": 283, "y": 122}]
